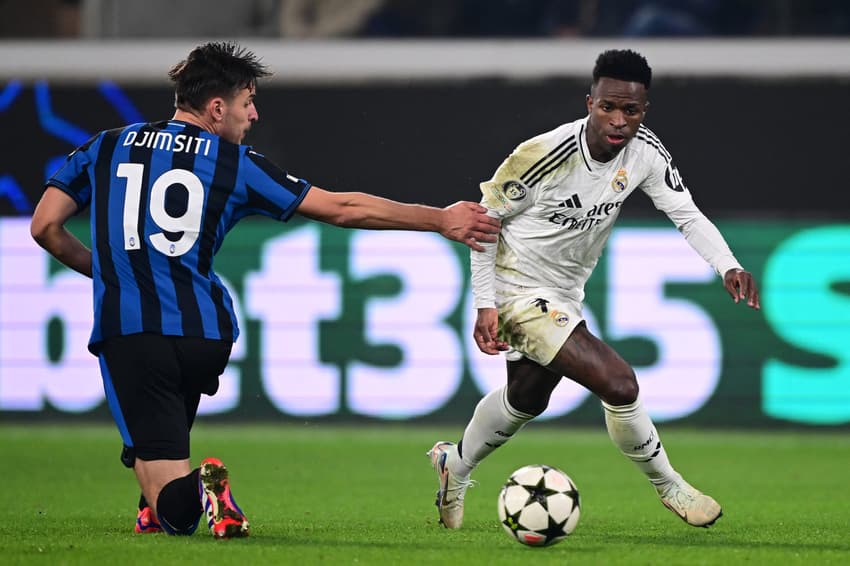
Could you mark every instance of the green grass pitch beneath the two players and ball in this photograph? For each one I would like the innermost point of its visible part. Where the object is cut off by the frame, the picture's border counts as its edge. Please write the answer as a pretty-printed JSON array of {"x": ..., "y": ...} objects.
[{"x": 364, "y": 495}]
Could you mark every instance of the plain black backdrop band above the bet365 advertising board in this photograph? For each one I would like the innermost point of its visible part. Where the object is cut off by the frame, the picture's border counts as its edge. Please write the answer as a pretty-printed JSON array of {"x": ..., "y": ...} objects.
[{"x": 764, "y": 148}]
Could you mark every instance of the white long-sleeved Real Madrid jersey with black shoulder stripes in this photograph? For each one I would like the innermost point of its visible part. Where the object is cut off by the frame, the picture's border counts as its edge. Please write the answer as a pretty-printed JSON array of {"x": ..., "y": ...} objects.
[{"x": 558, "y": 206}]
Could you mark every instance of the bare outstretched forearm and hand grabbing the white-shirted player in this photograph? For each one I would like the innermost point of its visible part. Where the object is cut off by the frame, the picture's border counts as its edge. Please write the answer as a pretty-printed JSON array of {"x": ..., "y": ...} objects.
[{"x": 464, "y": 222}]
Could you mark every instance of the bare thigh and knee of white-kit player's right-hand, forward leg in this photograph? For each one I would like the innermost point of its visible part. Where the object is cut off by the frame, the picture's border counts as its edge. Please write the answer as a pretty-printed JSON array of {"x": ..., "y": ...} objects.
[{"x": 589, "y": 361}]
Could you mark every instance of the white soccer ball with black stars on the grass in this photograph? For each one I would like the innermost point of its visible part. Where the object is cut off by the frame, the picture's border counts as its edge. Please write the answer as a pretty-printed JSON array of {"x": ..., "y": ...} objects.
[{"x": 539, "y": 505}]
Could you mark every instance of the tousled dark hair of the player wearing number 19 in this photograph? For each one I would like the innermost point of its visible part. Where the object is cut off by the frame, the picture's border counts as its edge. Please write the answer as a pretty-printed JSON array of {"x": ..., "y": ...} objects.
[{"x": 214, "y": 69}]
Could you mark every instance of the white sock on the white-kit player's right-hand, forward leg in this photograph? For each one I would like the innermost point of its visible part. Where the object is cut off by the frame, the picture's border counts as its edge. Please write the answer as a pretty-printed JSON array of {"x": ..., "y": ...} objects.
[{"x": 631, "y": 429}]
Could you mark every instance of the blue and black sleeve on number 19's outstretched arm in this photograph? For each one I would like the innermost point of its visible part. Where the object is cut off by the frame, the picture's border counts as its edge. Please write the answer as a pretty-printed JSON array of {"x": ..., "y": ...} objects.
[{"x": 271, "y": 191}]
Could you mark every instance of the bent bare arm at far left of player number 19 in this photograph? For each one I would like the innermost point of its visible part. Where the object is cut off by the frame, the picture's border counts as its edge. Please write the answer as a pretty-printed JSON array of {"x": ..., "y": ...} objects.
[{"x": 48, "y": 229}]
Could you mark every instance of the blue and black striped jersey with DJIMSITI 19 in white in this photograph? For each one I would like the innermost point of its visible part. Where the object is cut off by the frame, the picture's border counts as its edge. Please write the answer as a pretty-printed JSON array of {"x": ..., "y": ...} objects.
[{"x": 162, "y": 196}]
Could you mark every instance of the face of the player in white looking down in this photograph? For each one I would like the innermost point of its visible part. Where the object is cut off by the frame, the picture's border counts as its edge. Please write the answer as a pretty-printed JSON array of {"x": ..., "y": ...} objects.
[{"x": 616, "y": 109}]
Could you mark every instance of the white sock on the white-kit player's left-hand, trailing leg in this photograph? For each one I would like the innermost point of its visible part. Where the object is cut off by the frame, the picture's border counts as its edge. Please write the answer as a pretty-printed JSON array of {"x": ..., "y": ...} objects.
[{"x": 493, "y": 423}]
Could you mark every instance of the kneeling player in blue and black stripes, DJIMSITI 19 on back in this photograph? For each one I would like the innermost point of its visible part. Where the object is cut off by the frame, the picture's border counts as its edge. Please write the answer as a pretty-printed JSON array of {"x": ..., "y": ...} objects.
[{"x": 162, "y": 197}]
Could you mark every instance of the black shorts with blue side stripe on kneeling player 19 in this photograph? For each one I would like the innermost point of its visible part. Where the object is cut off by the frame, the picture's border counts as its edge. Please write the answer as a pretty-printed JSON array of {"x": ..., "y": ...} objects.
[{"x": 153, "y": 385}]
